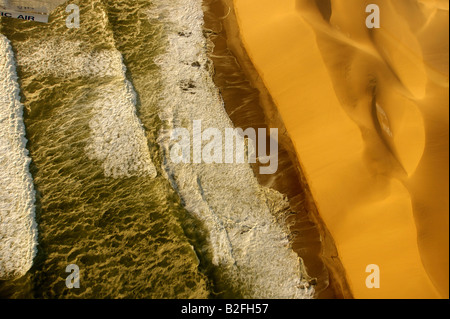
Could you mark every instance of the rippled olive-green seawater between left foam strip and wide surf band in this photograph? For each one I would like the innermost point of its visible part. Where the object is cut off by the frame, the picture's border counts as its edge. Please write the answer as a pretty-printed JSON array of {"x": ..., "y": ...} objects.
[{"x": 130, "y": 236}]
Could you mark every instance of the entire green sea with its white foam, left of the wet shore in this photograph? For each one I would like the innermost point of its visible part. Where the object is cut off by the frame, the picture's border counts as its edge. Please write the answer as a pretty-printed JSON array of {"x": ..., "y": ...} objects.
[{"x": 100, "y": 102}]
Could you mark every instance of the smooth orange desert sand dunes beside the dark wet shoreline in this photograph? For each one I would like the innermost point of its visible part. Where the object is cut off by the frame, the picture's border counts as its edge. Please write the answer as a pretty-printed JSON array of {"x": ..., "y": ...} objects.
[{"x": 367, "y": 111}]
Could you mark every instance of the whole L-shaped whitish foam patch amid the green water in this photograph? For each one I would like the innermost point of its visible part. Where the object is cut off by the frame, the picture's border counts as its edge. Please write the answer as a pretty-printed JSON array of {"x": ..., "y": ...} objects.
[{"x": 118, "y": 138}]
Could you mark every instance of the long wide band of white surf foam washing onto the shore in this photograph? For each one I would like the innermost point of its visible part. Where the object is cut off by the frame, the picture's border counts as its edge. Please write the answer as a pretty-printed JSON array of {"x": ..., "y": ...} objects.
[{"x": 249, "y": 245}]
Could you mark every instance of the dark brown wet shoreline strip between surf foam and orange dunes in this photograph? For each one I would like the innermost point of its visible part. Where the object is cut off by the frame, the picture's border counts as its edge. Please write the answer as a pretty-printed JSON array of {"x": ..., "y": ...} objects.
[{"x": 251, "y": 105}]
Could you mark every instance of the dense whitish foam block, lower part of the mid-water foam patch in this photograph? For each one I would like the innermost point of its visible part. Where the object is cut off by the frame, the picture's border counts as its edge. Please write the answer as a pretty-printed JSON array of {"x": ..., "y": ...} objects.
[{"x": 118, "y": 139}]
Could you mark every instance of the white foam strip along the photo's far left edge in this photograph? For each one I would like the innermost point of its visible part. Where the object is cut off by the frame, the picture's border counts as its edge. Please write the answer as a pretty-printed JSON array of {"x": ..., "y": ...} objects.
[{"x": 18, "y": 230}]
